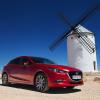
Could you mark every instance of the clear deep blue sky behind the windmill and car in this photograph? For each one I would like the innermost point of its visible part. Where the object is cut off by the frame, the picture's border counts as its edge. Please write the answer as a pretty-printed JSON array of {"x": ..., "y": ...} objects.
[{"x": 28, "y": 27}]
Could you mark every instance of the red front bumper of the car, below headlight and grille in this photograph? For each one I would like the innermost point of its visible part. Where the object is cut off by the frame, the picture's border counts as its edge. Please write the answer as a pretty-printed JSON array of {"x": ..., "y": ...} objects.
[{"x": 62, "y": 80}]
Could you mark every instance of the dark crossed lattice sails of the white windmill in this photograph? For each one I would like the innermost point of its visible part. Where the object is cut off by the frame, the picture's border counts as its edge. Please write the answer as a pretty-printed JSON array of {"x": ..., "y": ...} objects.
[{"x": 88, "y": 44}]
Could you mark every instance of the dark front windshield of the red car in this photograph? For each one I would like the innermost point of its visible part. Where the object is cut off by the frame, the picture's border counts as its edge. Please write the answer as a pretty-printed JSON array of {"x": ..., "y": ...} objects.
[{"x": 42, "y": 60}]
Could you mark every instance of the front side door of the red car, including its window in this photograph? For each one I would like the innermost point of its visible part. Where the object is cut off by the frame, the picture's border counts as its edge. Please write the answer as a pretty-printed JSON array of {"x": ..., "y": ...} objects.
[{"x": 25, "y": 72}]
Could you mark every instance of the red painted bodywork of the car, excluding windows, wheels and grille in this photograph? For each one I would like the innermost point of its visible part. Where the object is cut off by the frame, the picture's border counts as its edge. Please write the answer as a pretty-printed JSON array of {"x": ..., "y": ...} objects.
[{"x": 25, "y": 74}]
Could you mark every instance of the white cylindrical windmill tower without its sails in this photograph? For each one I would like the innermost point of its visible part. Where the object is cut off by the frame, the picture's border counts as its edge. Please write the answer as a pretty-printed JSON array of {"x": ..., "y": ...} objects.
[{"x": 80, "y": 55}]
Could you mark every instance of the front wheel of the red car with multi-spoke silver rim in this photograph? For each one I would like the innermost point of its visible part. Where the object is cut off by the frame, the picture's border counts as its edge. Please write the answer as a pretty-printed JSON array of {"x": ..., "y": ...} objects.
[{"x": 41, "y": 82}]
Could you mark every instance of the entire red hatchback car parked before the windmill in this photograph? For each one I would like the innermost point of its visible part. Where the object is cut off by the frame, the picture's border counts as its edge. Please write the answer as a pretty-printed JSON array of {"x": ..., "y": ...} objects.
[{"x": 40, "y": 72}]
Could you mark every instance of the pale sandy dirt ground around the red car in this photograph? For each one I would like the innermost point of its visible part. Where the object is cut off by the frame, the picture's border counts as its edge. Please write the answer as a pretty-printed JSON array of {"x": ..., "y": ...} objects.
[{"x": 89, "y": 91}]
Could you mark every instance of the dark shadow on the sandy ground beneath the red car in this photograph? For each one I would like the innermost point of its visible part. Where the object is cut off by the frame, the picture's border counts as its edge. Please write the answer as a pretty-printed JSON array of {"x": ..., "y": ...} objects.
[{"x": 51, "y": 91}]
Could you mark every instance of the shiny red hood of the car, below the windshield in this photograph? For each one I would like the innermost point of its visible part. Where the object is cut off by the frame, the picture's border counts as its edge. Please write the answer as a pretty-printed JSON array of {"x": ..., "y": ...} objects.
[{"x": 60, "y": 67}]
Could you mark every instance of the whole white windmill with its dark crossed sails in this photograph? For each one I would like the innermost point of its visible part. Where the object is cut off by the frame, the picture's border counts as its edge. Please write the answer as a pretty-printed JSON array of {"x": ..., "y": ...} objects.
[{"x": 80, "y": 43}]
